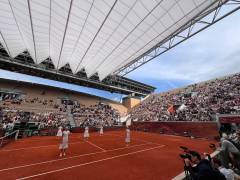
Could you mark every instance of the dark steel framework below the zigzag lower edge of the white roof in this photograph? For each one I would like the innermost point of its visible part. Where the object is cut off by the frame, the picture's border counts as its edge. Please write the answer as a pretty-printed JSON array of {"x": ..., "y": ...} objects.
[{"x": 24, "y": 63}]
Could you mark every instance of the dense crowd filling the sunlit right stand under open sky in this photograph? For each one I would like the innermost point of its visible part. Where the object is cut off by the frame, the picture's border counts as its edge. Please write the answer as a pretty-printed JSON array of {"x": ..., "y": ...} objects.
[{"x": 197, "y": 102}]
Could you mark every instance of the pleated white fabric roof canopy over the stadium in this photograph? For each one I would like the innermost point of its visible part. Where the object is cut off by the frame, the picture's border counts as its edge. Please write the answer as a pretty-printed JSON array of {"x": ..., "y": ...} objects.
[{"x": 100, "y": 36}]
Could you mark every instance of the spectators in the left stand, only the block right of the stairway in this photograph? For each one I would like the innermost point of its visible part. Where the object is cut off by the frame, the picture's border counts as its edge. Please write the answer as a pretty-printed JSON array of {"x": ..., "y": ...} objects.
[{"x": 95, "y": 115}]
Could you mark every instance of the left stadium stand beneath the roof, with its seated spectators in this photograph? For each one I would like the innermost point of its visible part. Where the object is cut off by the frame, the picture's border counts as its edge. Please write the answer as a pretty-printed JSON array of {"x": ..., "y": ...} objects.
[{"x": 50, "y": 107}]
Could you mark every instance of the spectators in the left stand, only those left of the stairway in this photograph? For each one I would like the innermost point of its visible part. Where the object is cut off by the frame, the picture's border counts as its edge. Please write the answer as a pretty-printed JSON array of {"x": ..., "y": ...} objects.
[{"x": 9, "y": 115}]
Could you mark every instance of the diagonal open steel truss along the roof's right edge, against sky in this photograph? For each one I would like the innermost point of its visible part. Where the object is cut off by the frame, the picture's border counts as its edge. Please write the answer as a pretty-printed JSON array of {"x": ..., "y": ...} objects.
[{"x": 196, "y": 25}]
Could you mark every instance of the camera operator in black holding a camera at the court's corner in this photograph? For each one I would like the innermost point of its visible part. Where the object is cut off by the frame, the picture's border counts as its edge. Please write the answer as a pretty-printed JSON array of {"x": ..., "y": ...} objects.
[{"x": 201, "y": 169}]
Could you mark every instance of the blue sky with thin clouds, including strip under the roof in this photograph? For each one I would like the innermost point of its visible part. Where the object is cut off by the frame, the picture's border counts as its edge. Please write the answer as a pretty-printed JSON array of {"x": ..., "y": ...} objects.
[{"x": 214, "y": 52}]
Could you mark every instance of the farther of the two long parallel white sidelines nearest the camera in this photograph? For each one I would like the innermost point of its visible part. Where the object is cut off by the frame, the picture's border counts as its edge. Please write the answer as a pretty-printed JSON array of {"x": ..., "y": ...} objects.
[{"x": 71, "y": 157}]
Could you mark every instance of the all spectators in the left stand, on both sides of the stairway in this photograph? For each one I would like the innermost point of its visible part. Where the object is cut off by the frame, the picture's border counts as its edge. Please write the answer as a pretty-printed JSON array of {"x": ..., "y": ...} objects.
[{"x": 95, "y": 115}]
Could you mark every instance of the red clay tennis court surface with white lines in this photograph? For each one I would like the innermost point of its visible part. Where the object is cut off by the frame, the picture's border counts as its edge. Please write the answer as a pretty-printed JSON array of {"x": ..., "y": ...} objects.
[{"x": 149, "y": 156}]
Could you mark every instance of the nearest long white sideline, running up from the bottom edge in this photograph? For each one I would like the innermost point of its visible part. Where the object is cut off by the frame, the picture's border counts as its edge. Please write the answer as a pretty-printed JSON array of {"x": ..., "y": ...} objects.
[{"x": 91, "y": 162}]
